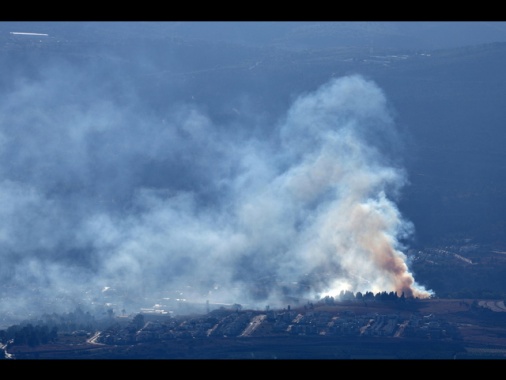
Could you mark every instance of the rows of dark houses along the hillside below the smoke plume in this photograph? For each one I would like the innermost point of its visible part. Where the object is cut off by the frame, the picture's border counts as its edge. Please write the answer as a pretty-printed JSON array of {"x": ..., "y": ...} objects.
[{"x": 242, "y": 323}]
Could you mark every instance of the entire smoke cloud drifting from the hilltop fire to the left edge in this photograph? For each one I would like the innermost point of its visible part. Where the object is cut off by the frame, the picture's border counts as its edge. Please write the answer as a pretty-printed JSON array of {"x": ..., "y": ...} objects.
[{"x": 97, "y": 190}]
